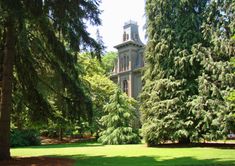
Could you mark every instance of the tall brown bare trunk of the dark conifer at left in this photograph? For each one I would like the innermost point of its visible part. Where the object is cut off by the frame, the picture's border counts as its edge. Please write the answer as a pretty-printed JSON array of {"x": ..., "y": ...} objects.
[{"x": 6, "y": 105}]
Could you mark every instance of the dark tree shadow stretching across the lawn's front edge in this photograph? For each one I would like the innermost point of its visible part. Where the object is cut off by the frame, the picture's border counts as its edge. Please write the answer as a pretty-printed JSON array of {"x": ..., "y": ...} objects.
[{"x": 83, "y": 160}]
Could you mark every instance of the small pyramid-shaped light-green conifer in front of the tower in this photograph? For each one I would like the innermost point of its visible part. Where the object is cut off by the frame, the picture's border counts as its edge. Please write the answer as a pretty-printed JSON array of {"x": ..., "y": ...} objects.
[{"x": 119, "y": 121}]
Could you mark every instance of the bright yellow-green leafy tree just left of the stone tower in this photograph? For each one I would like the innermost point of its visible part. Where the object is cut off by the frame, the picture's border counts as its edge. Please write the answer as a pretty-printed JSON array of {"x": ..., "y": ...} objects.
[{"x": 101, "y": 87}]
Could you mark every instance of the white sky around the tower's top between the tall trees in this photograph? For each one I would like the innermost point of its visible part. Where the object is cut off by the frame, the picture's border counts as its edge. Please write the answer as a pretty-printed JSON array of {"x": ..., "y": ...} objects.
[{"x": 115, "y": 14}]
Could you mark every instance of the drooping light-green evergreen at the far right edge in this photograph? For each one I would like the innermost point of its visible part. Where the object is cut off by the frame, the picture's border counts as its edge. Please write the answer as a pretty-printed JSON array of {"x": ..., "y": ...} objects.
[{"x": 212, "y": 111}]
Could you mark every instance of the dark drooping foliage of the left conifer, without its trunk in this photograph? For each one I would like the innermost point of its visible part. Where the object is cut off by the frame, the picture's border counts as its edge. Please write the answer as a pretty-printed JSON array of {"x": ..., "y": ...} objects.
[{"x": 49, "y": 33}]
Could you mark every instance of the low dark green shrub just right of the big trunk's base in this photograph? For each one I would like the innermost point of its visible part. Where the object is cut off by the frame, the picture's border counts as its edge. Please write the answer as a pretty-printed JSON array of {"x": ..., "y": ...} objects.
[{"x": 27, "y": 137}]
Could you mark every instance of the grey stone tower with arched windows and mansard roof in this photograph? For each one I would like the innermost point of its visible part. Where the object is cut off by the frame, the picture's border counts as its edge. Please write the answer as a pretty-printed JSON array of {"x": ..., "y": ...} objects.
[{"x": 127, "y": 71}]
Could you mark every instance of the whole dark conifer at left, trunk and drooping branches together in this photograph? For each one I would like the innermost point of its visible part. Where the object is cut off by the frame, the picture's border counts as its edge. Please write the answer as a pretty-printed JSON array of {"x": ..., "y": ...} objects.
[{"x": 33, "y": 37}]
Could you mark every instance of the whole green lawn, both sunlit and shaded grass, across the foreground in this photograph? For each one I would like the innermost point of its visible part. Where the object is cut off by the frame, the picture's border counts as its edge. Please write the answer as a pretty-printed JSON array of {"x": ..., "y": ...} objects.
[{"x": 128, "y": 155}]
